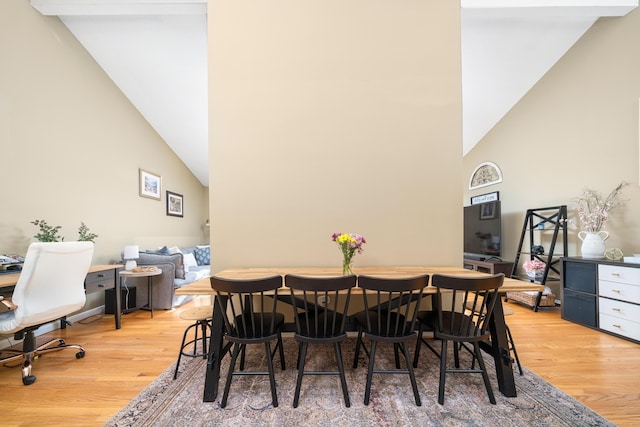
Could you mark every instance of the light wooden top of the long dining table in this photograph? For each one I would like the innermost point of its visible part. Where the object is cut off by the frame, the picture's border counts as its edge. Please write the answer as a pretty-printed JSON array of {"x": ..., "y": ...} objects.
[{"x": 203, "y": 286}]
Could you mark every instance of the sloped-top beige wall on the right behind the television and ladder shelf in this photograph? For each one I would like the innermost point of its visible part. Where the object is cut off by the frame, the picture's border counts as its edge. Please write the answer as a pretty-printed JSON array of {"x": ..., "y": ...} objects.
[{"x": 577, "y": 128}]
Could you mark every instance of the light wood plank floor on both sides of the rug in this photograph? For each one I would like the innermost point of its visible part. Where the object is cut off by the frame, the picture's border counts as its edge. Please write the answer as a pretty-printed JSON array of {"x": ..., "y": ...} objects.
[{"x": 599, "y": 370}]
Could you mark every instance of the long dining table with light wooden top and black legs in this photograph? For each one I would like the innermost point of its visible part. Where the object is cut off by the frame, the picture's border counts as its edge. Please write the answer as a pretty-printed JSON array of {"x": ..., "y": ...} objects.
[{"x": 499, "y": 345}]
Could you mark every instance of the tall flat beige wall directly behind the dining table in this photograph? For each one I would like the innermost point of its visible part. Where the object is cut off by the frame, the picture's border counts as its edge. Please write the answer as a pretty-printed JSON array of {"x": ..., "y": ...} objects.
[{"x": 332, "y": 116}]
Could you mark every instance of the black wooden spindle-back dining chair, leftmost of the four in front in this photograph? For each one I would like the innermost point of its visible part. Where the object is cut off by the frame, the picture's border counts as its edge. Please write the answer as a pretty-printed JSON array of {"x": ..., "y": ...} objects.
[{"x": 248, "y": 309}]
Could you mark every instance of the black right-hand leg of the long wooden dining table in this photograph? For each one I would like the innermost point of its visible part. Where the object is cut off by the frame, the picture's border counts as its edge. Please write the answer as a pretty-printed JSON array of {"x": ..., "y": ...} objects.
[{"x": 500, "y": 351}]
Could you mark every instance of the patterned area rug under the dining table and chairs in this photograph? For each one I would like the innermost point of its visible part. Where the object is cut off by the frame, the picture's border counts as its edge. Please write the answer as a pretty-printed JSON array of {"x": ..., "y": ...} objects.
[{"x": 168, "y": 402}]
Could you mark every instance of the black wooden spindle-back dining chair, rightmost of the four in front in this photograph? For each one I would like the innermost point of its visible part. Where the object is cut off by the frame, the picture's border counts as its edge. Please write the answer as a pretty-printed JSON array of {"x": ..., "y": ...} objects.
[{"x": 463, "y": 309}]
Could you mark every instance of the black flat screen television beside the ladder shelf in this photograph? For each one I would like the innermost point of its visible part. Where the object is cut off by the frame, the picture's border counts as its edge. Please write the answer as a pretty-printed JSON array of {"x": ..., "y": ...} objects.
[{"x": 483, "y": 231}]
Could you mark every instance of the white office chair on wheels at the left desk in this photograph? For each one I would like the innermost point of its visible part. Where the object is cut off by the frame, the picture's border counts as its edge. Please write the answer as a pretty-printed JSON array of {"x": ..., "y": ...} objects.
[{"x": 51, "y": 286}]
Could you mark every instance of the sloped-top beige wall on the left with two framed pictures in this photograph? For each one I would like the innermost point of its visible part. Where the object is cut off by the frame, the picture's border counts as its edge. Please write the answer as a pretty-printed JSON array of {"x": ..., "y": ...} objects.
[{"x": 72, "y": 145}]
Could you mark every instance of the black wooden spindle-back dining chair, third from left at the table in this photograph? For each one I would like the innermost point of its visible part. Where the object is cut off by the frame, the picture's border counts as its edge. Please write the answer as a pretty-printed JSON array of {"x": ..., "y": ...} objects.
[{"x": 390, "y": 317}]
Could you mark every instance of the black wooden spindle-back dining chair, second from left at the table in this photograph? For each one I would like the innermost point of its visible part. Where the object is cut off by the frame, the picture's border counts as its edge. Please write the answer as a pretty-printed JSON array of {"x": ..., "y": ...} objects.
[{"x": 321, "y": 314}]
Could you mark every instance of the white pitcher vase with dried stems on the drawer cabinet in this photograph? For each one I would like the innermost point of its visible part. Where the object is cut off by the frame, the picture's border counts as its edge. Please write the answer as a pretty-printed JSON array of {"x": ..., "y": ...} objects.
[{"x": 593, "y": 212}]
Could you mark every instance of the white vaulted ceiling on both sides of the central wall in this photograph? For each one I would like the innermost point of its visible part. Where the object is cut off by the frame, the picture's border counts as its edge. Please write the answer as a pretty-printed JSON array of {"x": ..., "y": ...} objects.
[{"x": 156, "y": 52}]
